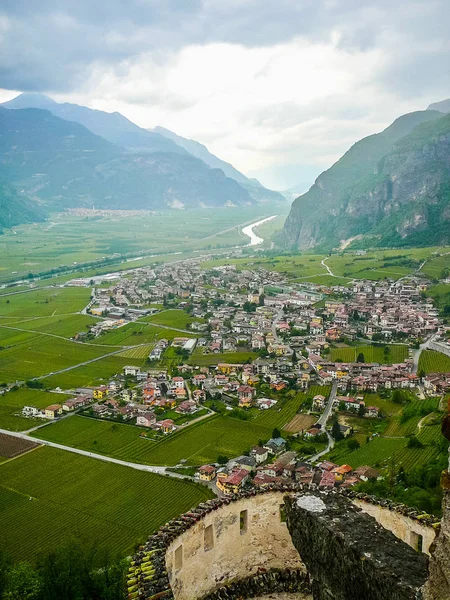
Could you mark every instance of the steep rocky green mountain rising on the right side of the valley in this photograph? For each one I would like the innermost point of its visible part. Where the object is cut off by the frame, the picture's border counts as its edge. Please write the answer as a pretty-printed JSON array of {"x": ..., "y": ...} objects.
[{"x": 391, "y": 187}]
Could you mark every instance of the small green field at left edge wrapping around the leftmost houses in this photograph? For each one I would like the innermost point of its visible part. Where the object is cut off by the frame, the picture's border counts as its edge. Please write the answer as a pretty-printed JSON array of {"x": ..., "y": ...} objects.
[{"x": 11, "y": 405}]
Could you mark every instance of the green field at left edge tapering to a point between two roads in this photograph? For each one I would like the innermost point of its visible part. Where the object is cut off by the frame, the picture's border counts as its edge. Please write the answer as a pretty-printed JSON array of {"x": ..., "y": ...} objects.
[{"x": 41, "y": 355}]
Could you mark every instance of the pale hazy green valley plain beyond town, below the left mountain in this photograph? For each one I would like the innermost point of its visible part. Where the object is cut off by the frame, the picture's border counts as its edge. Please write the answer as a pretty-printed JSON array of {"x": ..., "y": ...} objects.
[{"x": 76, "y": 240}]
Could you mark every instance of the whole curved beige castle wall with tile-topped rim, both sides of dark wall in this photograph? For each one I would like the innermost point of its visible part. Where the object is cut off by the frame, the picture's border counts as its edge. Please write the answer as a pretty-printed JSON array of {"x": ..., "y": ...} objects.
[{"x": 216, "y": 547}]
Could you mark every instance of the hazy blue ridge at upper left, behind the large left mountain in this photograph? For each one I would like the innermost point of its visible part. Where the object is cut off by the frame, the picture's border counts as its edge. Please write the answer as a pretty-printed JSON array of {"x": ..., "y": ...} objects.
[{"x": 113, "y": 127}]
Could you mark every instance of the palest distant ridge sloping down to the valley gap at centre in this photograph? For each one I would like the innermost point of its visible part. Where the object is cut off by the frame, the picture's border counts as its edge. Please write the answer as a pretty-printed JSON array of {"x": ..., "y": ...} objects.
[{"x": 255, "y": 189}]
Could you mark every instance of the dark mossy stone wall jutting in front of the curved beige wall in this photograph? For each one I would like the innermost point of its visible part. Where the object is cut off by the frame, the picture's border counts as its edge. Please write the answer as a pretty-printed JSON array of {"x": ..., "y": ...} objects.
[{"x": 348, "y": 554}]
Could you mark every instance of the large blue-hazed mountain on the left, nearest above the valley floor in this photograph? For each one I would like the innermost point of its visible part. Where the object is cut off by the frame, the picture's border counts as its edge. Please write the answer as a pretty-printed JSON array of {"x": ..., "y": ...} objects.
[{"x": 60, "y": 163}]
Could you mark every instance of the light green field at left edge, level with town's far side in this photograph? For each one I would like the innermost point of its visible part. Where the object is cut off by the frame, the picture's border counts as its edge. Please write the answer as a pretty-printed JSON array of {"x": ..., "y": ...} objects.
[{"x": 44, "y": 302}]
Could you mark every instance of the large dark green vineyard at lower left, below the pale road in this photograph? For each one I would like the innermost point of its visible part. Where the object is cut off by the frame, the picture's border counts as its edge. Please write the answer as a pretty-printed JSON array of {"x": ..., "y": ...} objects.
[{"x": 48, "y": 495}]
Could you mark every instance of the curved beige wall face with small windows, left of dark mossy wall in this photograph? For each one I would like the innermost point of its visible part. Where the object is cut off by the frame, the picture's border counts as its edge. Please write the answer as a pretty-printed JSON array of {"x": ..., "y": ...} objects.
[{"x": 230, "y": 544}]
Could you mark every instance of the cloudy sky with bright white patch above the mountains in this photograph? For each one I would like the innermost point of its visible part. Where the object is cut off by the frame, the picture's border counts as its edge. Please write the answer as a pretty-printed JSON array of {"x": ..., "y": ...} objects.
[{"x": 279, "y": 88}]
